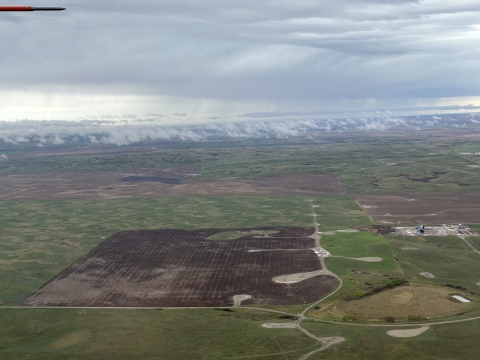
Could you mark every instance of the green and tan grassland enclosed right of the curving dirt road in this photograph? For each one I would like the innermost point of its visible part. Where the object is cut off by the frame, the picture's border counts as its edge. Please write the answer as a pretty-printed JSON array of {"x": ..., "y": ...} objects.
[{"x": 455, "y": 266}]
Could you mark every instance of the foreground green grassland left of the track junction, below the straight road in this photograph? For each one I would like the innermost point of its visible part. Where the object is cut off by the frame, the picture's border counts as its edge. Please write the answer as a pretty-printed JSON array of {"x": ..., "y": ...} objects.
[{"x": 145, "y": 334}]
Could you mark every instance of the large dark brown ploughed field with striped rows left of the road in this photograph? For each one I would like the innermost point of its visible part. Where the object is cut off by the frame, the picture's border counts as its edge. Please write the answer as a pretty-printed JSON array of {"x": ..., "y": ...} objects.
[{"x": 168, "y": 268}]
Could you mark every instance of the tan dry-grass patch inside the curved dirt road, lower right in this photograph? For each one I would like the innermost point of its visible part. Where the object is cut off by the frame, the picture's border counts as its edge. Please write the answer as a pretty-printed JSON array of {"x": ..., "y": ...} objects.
[{"x": 423, "y": 301}]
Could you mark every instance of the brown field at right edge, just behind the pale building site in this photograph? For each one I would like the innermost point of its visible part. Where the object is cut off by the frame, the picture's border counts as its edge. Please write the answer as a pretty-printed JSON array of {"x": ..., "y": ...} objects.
[{"x": 422, "y": 208}]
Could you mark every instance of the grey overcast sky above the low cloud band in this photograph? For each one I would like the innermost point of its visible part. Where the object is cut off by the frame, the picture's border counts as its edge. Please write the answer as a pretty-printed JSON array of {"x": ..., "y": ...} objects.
[{"x": 220, "y": 57}]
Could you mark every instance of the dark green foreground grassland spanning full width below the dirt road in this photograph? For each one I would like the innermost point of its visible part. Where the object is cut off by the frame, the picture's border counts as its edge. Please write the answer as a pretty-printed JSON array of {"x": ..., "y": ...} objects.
[{"x": 209, "y": 334}]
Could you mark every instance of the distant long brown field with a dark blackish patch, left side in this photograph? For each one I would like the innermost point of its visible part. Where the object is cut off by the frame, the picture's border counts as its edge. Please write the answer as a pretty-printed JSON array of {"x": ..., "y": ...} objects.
[{"x": 178, "y": 181}]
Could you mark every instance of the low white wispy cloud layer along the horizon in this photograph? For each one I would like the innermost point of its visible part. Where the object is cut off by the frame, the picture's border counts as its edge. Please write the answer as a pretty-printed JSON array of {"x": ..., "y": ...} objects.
[{"x": 41, "y": 133}]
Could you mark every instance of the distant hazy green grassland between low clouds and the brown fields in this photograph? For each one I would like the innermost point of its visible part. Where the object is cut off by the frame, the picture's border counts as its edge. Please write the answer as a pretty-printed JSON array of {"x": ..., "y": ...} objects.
[{"x": 368, "y": 166}]
